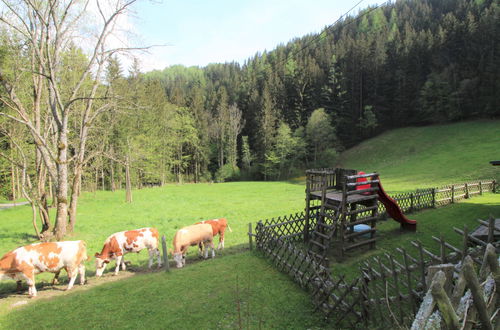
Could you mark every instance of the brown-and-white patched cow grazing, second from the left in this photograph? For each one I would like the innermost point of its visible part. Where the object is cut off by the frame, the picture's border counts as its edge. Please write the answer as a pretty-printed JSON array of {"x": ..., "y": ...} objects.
[{"x": 121, "y": 243}]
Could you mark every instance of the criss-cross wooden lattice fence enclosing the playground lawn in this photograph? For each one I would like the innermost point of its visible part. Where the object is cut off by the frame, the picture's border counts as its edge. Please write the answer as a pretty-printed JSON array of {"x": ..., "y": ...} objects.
[{"x": 389, "y": 288}]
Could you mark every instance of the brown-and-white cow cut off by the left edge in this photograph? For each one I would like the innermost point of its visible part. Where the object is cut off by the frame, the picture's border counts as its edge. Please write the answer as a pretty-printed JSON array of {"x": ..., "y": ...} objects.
[{"x": 24, "y": 262}]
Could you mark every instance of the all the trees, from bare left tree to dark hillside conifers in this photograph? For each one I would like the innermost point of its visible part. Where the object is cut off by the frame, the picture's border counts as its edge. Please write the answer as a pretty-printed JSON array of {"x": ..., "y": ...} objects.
[{"x": 73, "y": 118}]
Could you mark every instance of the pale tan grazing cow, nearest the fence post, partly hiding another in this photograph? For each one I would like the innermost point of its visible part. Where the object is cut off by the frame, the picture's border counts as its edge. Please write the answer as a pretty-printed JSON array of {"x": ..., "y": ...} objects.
[{"x": 191, "y": 236}]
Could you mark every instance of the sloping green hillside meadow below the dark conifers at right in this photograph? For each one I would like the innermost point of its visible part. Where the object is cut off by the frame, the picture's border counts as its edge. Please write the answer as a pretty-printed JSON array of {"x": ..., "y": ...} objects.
[{"x": 418, "y": 157}]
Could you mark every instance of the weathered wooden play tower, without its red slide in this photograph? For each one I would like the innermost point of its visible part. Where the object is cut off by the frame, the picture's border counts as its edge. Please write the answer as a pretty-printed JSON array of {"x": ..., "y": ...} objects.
[{"x": 340, "y": 200}]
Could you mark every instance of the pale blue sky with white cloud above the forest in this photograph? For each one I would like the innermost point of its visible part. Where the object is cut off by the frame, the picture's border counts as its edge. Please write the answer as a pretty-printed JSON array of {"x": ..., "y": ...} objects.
[{"x": 199, "y": 32}]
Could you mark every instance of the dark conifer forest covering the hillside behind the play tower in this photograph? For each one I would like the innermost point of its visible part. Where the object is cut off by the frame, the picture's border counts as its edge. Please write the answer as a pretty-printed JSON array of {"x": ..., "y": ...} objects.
[{"x": 403, "y": 63}]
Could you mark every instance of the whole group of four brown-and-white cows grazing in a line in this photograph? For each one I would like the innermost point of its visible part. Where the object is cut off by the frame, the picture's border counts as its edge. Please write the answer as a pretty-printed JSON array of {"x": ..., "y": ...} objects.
[{"x": 26, "y": 261}]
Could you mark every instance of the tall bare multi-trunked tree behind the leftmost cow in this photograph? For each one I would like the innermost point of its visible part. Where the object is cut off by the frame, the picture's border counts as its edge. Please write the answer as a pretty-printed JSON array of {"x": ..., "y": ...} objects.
[{"x": 48, "y": 29}]
